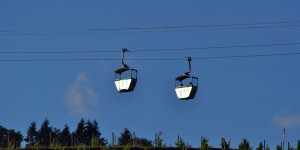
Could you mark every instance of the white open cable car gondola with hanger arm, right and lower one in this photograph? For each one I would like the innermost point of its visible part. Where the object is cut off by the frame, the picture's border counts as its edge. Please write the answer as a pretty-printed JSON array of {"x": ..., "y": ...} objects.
[{"x": 189, "y": 90}]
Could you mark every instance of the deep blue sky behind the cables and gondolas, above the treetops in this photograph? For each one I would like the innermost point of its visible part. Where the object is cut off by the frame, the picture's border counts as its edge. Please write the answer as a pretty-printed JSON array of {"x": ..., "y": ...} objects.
[{"x": 251, "y": 98}]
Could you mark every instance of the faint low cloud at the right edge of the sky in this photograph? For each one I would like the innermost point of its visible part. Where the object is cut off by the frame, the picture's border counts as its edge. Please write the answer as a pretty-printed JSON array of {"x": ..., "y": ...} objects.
[{"x": 288, "y": 120}]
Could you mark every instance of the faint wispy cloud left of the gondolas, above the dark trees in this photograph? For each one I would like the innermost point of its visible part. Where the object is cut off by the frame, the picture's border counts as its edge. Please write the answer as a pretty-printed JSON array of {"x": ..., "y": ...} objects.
[{"x": 80, "y": 96}]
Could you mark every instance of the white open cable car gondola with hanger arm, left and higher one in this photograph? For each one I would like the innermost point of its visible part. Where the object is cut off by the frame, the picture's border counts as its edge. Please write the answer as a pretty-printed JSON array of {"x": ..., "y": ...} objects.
[{"x": 125, "y": 77}]
